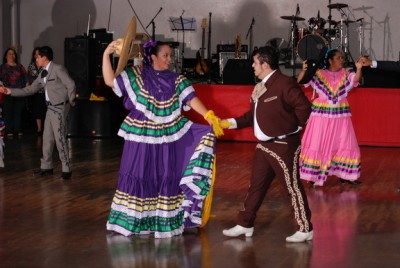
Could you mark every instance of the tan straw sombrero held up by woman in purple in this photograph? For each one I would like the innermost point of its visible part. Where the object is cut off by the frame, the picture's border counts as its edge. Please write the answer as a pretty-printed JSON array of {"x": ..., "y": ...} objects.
[{"x": 127, "y": 47}]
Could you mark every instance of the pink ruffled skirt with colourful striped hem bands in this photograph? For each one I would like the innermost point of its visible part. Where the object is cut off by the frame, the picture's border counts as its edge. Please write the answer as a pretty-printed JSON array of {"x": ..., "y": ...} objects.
[{"x": 329, "y": 148}]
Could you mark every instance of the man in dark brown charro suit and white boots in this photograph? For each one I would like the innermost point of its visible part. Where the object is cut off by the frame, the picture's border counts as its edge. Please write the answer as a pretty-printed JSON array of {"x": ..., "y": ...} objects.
[{"x": 278, "y": 110}]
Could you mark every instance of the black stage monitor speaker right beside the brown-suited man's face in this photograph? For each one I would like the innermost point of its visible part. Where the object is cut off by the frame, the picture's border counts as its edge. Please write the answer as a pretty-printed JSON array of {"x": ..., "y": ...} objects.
[{"x": 238, "y": 72}]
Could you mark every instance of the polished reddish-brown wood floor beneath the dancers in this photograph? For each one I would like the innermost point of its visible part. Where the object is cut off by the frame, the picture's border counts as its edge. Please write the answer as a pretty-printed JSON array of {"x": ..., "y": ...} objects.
[{"x": 48, "y": 222}]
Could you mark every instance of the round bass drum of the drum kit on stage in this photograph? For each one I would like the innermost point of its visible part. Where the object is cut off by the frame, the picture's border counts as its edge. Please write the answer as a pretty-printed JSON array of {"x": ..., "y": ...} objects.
[{"x": 312, "y": 47}]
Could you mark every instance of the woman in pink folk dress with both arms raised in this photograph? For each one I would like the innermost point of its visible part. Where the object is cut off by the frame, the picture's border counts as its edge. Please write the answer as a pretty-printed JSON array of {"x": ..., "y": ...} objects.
[{"x": 329, "y": 144}]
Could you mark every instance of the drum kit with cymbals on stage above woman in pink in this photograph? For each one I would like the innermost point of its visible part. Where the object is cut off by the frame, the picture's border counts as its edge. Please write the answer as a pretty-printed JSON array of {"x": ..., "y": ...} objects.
[{"x": 312, "y": 42}]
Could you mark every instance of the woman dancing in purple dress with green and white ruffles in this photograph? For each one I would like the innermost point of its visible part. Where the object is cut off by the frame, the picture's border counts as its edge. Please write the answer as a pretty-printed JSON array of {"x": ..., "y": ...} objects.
[{"x": 167, "y": 160}]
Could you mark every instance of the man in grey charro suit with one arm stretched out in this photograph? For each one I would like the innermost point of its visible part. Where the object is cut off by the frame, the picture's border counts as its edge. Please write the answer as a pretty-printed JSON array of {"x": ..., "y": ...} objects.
[{"x": 60, "y": 95}]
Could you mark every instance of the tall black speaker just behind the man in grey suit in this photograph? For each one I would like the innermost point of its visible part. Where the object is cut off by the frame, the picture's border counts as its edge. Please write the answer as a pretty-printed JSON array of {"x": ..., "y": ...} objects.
[{"x": 79, "y": 55}]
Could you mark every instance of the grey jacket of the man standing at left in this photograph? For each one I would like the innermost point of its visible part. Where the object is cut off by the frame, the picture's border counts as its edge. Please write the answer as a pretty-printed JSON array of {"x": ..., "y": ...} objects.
[{"x": 59, "y": 86}]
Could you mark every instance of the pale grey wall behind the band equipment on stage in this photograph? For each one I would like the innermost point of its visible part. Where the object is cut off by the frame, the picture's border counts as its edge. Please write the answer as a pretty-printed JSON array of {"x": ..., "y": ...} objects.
[{"x": 51, "y": 21}]
